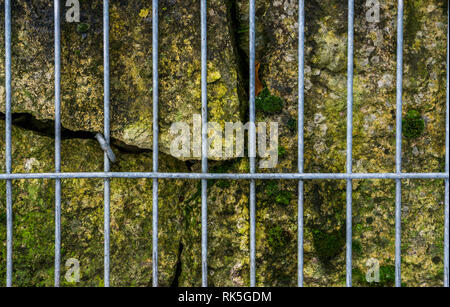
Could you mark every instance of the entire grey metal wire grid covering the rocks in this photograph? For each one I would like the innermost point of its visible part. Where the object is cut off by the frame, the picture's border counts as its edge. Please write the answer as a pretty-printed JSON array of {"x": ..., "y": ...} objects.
[{"x": 204, "y": 175}]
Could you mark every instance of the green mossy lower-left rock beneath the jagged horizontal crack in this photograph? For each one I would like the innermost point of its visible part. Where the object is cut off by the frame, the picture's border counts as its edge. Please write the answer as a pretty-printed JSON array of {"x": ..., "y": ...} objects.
[{"x": 82, "y": 215}]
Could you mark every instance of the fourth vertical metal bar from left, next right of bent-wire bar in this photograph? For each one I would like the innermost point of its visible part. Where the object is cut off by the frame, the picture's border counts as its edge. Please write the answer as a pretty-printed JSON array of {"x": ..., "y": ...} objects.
[{"x": 155, "y": 63}]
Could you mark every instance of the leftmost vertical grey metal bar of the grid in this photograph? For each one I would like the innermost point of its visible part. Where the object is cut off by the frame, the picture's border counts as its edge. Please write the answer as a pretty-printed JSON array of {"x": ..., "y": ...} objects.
[{"x": 9, "y": 220}]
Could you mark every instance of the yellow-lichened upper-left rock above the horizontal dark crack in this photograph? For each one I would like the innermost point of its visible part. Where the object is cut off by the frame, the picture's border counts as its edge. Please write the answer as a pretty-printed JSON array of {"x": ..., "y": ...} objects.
[{"x": 131, "y": 66}]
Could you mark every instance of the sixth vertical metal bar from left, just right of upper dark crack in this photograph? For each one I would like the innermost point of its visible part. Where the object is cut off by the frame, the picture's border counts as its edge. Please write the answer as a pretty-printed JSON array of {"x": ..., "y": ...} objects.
[{"x": 252, "y": 137}]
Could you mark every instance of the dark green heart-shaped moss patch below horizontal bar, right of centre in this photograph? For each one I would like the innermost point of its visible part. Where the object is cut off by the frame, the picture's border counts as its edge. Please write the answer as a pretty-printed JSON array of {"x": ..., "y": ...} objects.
[{"x": 328, "y": 245}]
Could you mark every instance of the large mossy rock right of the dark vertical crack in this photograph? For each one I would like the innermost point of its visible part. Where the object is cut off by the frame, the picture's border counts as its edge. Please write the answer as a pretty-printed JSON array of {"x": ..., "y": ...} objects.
[{"x": 373, "y": 138}]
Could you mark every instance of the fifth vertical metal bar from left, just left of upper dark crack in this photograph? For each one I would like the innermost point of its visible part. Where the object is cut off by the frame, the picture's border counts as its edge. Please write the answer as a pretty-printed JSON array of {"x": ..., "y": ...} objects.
[{"x": 204, "y": 145}]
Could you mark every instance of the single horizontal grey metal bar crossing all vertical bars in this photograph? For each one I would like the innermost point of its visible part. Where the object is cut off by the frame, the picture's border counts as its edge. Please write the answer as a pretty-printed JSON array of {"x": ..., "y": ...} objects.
[{"x": 258, "y": 176}]
